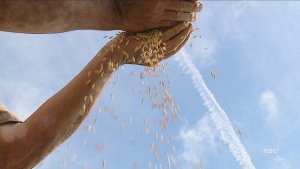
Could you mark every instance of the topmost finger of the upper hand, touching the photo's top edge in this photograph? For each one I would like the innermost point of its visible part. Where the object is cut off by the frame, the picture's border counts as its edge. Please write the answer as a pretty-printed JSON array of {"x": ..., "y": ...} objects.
[{"x": 183, "y": 6}]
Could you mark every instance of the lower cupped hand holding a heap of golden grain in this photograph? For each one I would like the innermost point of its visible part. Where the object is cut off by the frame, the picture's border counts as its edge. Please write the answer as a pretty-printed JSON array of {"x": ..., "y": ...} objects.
[{"x": 130, "y": 48}]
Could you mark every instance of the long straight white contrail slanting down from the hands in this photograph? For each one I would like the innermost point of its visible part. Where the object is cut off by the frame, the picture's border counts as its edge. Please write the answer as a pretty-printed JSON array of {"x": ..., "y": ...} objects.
[{"x": 218, "y": 115}]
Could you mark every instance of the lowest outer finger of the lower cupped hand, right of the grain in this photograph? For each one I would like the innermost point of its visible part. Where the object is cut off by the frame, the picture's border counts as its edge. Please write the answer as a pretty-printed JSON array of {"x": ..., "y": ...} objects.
[{"x": 174, "y": 43}]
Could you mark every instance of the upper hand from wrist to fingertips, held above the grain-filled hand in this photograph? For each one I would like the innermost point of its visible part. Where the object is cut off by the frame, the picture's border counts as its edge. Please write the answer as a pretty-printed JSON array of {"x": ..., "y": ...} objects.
[{"x": 142, "y": 15}]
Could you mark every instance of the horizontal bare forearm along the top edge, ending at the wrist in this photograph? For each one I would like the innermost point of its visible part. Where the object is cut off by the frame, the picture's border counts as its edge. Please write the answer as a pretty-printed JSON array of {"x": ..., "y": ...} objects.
[{"x": 48, "y": 16}]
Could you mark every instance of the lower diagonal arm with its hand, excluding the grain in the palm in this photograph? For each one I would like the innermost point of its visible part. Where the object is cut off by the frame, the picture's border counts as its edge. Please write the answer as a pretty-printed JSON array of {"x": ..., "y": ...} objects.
[{"x": 24, "y": 145}]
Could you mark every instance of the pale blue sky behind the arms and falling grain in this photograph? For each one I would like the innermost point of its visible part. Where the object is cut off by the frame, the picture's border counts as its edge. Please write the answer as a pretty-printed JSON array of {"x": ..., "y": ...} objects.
[{"x": 253, "y": 45}]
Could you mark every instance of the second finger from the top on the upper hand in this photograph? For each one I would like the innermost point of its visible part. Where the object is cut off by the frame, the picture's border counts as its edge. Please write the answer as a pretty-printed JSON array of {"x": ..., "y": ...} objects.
[{"x": 179, "y": 16}]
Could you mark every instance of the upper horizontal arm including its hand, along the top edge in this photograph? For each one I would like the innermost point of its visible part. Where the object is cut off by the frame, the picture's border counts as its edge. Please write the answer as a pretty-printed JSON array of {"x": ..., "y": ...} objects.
[{"x": 53, "y": 16}]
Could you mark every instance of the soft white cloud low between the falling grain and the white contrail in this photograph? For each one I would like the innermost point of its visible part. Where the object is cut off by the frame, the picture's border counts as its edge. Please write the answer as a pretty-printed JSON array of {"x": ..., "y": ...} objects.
[{"x": 197, "y": 140}]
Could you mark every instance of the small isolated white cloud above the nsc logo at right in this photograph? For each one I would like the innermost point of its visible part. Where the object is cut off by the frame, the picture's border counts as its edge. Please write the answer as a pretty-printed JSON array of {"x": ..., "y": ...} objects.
[{"x": 269, "y": 102}]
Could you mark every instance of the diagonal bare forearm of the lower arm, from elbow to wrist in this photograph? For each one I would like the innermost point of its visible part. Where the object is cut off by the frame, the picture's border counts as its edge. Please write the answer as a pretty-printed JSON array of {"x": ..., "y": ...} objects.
[{"x": 61, "y": 115}]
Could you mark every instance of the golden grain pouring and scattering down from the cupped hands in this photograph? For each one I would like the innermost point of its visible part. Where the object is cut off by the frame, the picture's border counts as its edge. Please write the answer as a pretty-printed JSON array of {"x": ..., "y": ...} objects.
[{"x": 153, "y": 93}]
